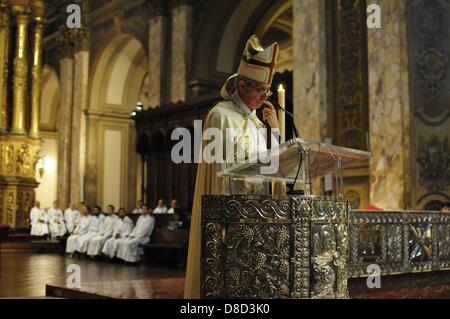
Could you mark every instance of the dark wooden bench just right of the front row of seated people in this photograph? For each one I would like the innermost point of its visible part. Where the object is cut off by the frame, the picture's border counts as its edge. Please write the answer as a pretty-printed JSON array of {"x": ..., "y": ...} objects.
[{"x": 167, "y": 245}]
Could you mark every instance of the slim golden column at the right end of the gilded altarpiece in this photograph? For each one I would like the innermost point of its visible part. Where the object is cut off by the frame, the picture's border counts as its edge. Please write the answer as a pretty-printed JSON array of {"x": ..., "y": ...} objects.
[{"x": 36, "y": 70}]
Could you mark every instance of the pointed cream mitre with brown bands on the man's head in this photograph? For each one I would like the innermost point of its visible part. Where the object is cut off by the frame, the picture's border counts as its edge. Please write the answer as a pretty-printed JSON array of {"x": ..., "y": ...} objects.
[{"x": 257, "y": 64}]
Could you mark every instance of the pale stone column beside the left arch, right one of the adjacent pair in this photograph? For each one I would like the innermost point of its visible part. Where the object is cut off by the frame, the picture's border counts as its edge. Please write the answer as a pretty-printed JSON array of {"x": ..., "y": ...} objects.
[{"x": 78, "y": 130}]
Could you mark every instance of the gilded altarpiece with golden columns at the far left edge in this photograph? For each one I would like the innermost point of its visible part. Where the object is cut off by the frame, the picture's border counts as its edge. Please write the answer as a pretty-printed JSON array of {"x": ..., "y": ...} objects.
[{"x": 21, "y": 31}]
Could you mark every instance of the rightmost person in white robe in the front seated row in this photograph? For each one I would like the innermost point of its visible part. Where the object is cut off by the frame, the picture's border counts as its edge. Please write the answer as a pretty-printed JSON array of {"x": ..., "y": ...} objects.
[{"x": 128, "y": 248}]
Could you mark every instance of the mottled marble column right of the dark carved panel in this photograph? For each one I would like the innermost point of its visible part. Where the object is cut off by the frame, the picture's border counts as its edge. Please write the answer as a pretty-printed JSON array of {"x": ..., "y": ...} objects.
[{"x": 389, "y": 114}]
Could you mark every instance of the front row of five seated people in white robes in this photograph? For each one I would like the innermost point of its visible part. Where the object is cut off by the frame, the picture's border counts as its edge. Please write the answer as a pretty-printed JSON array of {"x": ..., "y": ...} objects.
[{"x": 112, "y": 236}]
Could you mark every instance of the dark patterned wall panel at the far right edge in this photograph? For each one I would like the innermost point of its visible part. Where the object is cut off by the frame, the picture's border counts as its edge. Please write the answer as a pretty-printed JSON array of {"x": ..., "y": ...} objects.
[{"x": 429, "y": 74}]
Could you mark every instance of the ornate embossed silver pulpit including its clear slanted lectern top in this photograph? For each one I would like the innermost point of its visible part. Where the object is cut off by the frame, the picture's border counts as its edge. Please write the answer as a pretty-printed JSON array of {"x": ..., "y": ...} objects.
[{"x": 257, "y": 246}]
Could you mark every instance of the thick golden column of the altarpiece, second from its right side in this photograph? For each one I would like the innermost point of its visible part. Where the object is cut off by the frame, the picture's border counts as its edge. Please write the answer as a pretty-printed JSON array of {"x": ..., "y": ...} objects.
[{"x": 20, "y": 69}]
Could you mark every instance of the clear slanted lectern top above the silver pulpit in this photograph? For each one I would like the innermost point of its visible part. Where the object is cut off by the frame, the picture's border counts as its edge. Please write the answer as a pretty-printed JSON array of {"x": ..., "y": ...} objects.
[{"x": 318, "y": 159}]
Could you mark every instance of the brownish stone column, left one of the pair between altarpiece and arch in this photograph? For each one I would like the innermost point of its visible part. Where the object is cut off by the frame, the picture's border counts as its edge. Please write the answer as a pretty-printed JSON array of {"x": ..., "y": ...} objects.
[{"x": 65, "y": 121}]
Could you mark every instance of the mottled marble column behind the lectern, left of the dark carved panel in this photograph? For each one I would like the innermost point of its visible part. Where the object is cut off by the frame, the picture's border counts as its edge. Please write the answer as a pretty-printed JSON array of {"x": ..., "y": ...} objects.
[{"x": 310, "y": 71}]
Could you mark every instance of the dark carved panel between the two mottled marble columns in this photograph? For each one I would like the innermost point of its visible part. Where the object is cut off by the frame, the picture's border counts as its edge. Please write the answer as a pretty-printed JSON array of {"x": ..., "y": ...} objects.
[{"x": 348, "y": 59}]
